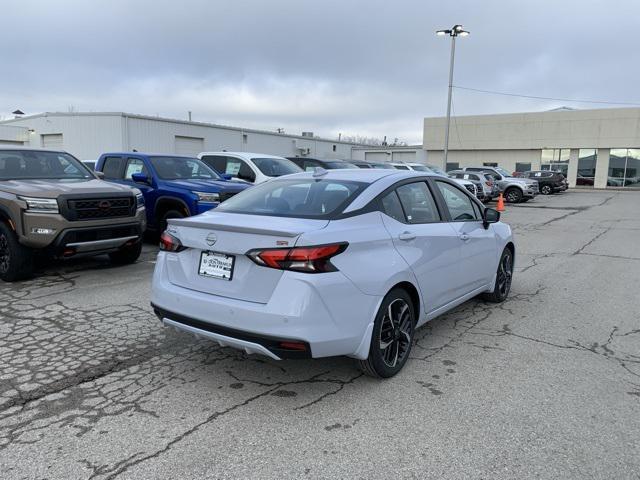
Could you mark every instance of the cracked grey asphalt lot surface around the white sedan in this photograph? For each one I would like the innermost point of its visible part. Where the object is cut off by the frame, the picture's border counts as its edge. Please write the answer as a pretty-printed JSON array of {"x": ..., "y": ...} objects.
[{"x": 546, "y": 385}]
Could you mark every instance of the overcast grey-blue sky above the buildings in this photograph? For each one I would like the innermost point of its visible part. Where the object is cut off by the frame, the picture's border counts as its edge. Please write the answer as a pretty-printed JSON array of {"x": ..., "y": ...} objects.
[{"x": 362, "y": 67}]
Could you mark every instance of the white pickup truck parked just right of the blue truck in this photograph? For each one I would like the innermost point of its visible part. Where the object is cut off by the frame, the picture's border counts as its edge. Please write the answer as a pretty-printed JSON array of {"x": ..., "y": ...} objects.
[{"x": 250, "y": 167}]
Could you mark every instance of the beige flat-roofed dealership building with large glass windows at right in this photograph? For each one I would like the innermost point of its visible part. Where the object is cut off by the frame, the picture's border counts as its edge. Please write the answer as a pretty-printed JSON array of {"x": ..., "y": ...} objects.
[{"x": 593, "y": 148}]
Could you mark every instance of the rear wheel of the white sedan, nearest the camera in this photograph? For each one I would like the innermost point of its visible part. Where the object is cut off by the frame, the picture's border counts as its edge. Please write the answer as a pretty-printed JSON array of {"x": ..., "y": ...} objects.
[{"x": 394, "y": 326}]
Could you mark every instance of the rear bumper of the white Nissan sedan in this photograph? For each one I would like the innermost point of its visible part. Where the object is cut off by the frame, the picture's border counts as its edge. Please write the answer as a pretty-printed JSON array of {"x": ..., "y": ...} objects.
[{"x": 325, "y": 311}]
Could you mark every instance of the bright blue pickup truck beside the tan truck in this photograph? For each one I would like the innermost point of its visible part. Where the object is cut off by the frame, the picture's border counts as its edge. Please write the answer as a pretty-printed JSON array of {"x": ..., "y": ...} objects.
[{"x": 173, "y": 186}]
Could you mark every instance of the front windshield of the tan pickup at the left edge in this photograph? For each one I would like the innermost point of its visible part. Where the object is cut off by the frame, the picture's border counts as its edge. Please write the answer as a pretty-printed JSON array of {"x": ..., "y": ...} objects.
[{"x": 33, "y": 164}]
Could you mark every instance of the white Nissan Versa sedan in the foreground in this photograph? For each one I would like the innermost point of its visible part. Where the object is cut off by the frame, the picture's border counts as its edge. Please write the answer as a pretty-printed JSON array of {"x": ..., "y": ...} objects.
[{"x": 339, "y": 262}]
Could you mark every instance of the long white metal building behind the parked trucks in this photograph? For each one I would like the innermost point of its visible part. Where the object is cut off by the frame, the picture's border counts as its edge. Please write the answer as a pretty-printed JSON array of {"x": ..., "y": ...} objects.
[{"x": 86, "y": 135}]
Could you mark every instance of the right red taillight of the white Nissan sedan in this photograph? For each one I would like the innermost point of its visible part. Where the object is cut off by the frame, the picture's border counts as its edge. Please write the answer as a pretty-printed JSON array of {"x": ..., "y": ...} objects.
[{"x": 314, "y": 259}]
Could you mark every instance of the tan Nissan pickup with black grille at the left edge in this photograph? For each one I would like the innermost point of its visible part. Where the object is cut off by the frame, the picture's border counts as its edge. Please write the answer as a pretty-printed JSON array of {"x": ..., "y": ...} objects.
[{"x": 51, "y": 204}]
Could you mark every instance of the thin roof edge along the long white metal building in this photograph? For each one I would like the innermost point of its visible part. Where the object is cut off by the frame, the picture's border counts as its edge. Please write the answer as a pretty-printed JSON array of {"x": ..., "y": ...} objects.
[{"x": 173, "y": 120}]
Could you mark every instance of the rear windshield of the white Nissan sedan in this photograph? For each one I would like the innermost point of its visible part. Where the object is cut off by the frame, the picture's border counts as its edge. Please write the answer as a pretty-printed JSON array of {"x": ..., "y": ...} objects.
[{"x": 297, "y": 198}]
